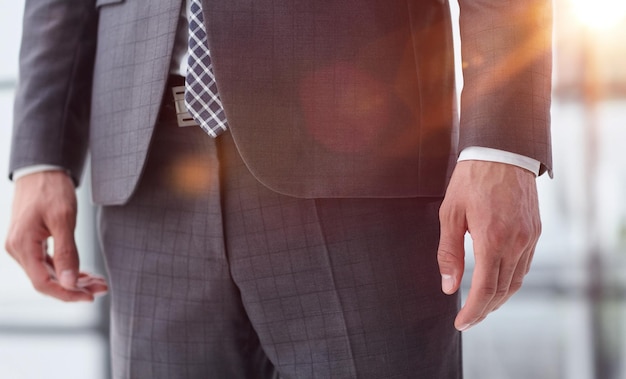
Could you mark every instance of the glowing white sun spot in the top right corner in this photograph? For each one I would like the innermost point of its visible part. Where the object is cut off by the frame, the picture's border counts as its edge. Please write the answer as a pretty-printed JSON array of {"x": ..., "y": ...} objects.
[{"x": 600, "y": 14}]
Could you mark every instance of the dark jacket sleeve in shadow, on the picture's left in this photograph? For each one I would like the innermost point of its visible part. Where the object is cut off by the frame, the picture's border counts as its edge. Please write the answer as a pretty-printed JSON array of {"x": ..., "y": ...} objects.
[{"x": 52, "y": 101}]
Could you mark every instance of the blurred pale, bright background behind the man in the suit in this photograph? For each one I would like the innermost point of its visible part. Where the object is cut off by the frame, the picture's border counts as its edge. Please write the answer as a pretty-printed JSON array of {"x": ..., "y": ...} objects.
[{"x": 567, "y": 322}]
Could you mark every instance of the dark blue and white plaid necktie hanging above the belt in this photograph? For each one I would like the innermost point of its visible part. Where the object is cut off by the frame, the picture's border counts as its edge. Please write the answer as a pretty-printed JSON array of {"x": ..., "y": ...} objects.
[{"x": 201, "y": 97}]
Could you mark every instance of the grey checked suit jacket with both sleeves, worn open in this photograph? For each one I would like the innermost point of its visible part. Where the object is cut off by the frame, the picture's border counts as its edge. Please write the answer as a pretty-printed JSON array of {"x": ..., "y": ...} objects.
[{"x": 324, "y": 98}]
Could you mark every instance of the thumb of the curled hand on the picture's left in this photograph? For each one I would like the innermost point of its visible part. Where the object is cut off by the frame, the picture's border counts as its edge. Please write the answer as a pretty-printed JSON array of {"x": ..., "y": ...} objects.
[{"x": 65, "y": 258}]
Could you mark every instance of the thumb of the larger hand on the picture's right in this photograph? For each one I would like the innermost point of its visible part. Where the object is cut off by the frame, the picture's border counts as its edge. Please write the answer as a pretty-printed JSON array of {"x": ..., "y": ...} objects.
[{"x": 451, "y": 251}]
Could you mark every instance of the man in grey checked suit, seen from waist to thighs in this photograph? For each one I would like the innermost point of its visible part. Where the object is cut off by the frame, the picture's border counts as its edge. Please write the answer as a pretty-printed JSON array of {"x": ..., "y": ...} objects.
[{"x": 309, "y": 239}]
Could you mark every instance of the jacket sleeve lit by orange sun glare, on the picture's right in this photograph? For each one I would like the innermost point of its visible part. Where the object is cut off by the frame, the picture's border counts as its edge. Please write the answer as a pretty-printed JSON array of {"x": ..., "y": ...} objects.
[{"x": 506, "y": 48}]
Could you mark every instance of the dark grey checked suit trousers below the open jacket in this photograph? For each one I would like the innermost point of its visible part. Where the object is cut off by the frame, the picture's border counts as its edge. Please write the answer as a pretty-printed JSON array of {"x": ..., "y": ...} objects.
[{"x": 213, "y": 275}]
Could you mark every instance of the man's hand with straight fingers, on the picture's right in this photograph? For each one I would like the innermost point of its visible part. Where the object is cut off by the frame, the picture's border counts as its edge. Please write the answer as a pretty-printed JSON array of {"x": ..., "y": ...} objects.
[{"x": 497, "y": 203}]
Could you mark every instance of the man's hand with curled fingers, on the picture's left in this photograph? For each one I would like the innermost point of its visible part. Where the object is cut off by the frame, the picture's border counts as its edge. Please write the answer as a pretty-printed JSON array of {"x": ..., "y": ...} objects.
[{"x": 44, "y": 205}]
